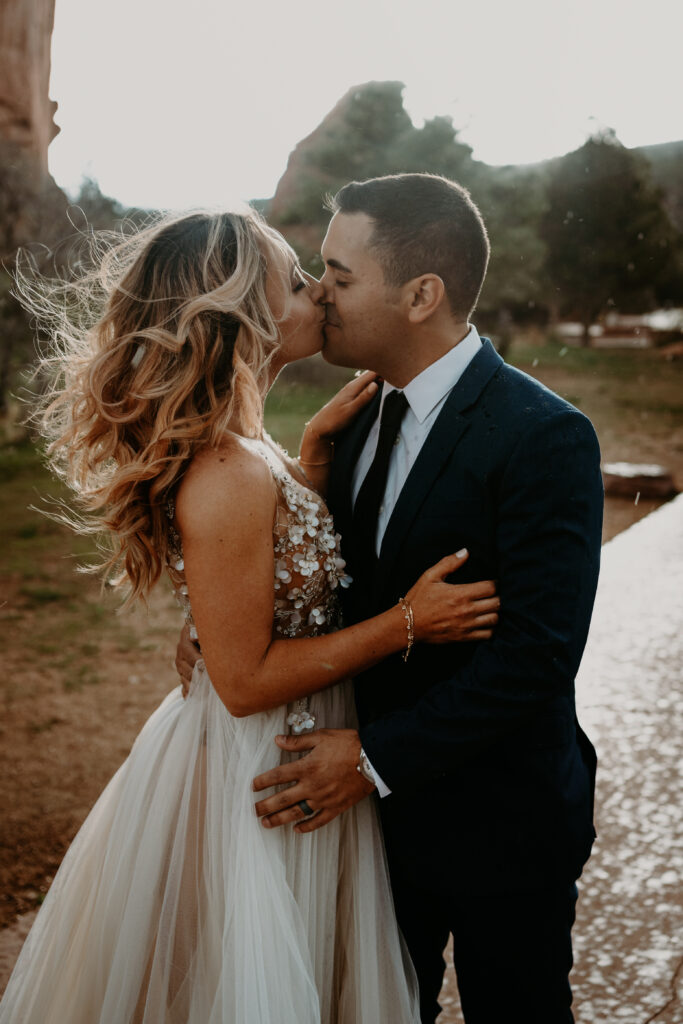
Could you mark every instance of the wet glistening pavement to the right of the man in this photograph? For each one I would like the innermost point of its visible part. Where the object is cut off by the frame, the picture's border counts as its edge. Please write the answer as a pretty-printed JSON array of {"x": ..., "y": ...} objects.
[{"x": 629, "y": 932}]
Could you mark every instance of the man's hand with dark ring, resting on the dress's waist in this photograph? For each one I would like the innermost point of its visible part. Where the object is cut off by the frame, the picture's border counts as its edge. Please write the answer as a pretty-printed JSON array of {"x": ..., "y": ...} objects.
[{"x": 327, "y": 780}]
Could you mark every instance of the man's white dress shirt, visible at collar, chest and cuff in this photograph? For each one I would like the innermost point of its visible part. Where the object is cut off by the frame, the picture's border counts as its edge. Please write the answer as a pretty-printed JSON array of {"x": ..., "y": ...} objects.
[{"x": 426, "y": 397}]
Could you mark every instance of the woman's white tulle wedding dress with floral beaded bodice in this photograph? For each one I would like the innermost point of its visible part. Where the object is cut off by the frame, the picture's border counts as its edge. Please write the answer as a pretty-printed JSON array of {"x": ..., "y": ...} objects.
[{"x": 175, "y": 906}]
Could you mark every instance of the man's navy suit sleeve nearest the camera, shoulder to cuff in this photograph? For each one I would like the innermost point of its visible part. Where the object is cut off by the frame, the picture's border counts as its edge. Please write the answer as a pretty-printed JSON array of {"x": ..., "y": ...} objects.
[{"x": 548, "y": 546}]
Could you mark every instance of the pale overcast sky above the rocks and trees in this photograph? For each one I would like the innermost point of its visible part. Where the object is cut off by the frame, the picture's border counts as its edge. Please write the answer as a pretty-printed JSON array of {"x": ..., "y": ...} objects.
[{"x": 175, "y": 105}]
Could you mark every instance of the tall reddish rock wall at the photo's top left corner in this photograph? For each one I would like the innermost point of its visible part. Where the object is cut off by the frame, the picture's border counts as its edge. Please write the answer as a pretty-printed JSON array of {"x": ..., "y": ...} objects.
[{"x": 26, "y": 110}]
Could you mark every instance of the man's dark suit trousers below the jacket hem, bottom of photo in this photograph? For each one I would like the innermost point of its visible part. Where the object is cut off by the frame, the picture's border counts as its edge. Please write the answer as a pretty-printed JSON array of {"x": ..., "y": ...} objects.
[{"x": 513, "y": 952}]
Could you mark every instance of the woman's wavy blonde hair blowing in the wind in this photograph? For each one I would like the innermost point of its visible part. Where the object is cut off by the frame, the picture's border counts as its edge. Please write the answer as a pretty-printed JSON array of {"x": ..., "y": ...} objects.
[{"x": 154, "y": 348}]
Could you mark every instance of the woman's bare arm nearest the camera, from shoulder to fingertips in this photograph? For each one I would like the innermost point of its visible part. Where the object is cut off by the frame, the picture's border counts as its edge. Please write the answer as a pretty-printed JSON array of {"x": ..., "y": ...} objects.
[{"x": 226, "y": 514}]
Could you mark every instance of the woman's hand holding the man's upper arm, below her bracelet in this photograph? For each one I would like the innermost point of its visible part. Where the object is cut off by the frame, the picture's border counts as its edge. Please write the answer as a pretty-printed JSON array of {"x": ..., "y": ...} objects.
[{"x": 446, "y": 613}]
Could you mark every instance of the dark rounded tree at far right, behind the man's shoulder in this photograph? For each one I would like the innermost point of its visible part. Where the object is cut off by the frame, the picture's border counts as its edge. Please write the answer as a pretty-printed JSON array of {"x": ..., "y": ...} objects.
[{"x": 610, "y": 242}]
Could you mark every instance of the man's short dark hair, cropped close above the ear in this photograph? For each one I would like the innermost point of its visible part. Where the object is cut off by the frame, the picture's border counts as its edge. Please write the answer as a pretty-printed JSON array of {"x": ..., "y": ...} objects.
[{"x": 424, "y": 224}]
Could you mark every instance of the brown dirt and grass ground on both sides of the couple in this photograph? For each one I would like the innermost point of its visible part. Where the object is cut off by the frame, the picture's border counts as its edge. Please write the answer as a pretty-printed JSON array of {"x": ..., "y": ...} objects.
[{"x": 79, "y": 679}]
